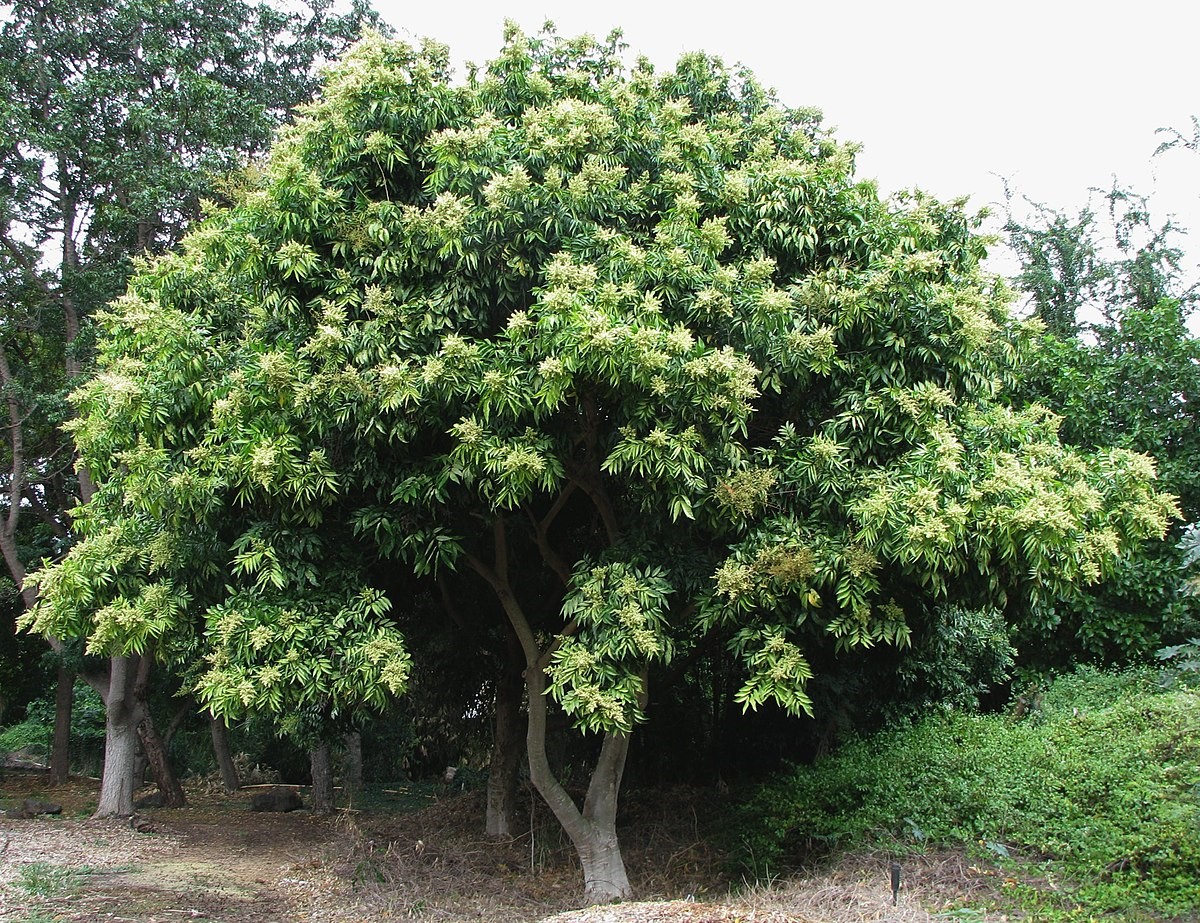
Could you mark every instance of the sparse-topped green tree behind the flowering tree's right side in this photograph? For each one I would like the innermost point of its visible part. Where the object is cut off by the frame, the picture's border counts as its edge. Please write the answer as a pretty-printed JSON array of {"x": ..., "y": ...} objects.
[{"x": 1120, "y": 364}]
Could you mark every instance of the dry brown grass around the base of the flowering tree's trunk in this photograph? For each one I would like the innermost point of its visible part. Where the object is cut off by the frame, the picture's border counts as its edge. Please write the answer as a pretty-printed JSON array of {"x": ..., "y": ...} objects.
[{"x": 435, "y": 865}]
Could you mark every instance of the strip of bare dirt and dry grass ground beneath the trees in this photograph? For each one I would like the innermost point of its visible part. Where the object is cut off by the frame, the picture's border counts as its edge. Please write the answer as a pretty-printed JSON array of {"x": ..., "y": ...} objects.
[{"x": 217, "y": 862}]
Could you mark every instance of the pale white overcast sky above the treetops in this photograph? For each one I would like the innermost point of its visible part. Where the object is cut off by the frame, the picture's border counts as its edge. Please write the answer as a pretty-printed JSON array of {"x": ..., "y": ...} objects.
[{"x": 1054, "y": 97}]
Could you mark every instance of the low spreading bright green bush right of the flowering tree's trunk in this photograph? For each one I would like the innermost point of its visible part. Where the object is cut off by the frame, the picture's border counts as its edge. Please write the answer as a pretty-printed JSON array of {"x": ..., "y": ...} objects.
[{"x": 1102, "y": 782}]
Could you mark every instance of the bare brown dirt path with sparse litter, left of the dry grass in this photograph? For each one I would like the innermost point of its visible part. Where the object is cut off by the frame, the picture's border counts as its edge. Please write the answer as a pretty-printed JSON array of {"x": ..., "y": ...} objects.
[{"x": 206, "y": 862}]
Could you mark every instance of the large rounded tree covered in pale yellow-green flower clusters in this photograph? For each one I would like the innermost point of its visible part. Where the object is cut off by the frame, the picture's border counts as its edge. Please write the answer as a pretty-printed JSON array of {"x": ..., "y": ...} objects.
[{"x": 633, "y": 353}]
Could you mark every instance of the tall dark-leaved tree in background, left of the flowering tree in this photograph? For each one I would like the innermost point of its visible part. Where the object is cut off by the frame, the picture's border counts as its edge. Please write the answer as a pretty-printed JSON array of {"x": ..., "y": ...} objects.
[{"x": 115, "y": 121}]
